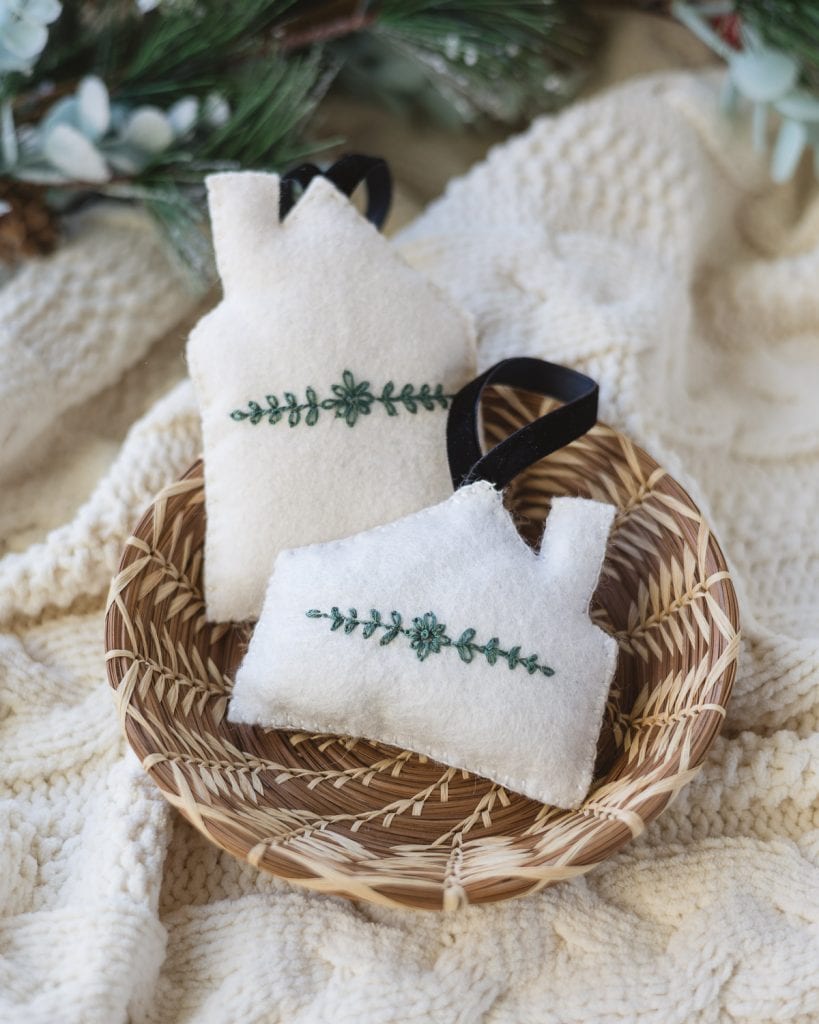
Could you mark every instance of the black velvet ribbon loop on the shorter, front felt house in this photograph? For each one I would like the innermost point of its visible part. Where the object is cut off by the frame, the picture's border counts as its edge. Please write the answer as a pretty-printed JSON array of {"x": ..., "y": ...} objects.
[{"x": 531, "y": 444}]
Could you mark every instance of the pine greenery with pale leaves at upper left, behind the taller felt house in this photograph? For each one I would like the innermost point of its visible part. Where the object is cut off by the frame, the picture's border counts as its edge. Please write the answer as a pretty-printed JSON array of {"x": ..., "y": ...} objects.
[{"x": 140, "y": 100}]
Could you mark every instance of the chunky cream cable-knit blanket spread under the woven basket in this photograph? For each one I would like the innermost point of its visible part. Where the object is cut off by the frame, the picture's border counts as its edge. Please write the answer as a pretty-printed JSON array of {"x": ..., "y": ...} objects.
[{"x": 631, "y": 237}]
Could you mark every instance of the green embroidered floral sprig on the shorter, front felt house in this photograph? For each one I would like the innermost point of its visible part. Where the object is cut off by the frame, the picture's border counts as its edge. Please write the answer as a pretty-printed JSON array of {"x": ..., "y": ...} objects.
[{"x": 428, "y": 636}]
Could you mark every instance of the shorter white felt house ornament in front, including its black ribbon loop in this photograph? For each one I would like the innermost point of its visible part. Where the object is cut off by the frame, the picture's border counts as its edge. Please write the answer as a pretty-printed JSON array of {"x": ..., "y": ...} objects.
[{"x": 444, "y": 632}]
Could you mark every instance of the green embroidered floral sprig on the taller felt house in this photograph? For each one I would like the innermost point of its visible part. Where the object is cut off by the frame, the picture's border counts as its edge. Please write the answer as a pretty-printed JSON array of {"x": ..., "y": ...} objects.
[{"x": 353, "y": 399}]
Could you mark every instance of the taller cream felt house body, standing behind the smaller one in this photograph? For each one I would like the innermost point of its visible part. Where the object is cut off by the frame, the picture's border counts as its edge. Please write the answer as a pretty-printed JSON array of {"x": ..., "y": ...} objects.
[{"x": 319, "y": 312}]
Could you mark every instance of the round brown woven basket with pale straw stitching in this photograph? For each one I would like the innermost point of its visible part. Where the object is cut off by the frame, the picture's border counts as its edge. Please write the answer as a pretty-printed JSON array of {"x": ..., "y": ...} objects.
[{"x": 366, "y": 821}]
